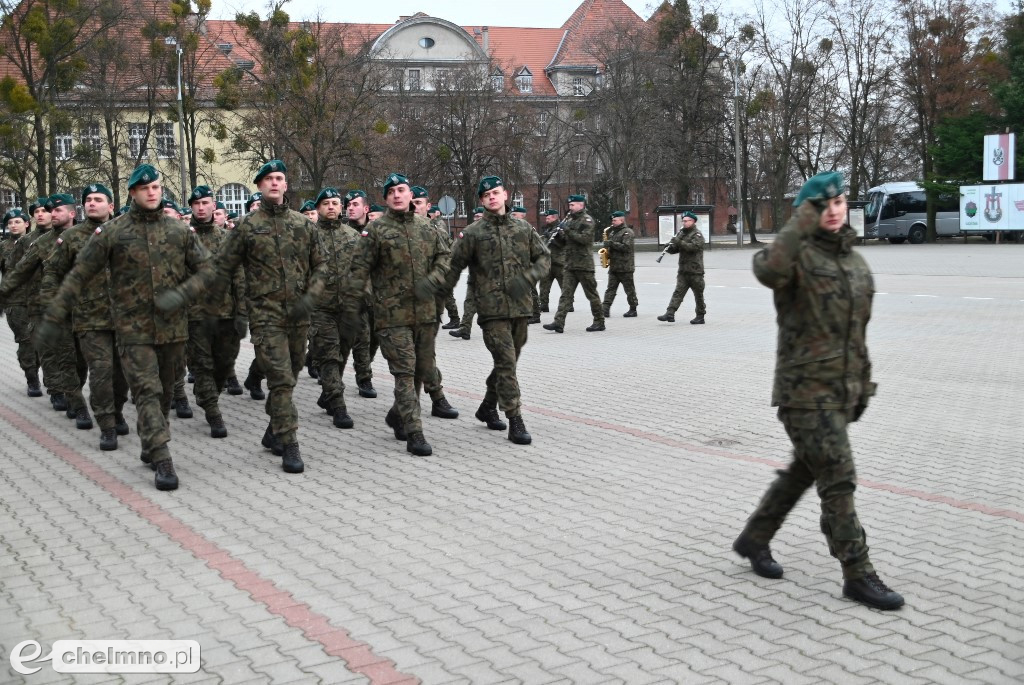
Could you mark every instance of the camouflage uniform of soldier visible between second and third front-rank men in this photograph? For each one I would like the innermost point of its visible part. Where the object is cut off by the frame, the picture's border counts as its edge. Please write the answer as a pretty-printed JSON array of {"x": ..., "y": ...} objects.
[{"x": 332, "y": 342}]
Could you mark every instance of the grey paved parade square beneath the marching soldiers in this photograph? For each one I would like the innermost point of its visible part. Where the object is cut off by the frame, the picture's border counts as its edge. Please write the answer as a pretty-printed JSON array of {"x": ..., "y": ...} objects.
[{"x": 599, "y": 554}]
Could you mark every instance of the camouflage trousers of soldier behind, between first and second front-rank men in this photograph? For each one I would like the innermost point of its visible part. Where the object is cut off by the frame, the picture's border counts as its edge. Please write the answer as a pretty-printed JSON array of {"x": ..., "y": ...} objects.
[{"x": 212, "y": 350}]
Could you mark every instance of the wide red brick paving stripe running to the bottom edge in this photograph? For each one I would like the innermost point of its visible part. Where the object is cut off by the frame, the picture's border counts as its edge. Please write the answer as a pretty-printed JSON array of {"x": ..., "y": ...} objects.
[{"x": 336, "y": 641}]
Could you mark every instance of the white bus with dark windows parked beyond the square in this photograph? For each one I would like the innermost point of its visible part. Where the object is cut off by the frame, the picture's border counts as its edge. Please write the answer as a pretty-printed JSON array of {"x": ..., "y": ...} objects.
[{"x": 898, "y": 212}]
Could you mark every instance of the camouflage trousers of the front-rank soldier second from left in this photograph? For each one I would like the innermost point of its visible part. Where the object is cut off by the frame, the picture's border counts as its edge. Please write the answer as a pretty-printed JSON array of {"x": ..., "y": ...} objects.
[{"x": 281, "y": 355}]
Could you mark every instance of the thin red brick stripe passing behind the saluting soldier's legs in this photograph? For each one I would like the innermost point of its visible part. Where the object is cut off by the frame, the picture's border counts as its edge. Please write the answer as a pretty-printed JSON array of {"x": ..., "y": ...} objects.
[{"x": 724, "y": 454}]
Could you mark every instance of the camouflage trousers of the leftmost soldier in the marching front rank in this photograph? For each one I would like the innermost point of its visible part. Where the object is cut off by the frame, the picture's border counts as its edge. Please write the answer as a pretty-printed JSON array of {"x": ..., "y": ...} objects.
[{"x": 152, "y": 372}]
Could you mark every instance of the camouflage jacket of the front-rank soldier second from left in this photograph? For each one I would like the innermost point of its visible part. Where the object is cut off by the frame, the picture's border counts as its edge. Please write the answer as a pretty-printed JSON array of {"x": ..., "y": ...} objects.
[{"x": 281, "y": 252}]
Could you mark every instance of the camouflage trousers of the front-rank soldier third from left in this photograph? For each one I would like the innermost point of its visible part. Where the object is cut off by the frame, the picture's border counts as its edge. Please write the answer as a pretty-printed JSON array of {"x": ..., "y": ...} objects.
[{"x": 410, "y": 355}]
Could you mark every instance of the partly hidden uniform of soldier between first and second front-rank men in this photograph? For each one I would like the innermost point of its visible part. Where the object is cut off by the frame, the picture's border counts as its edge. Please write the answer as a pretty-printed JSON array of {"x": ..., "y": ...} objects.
[{"x": 214, "y": 340}]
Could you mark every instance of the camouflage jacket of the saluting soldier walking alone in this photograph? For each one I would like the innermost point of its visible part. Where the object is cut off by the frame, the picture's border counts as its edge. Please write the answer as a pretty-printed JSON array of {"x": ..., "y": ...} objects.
[{"x": 824, "y": 293}]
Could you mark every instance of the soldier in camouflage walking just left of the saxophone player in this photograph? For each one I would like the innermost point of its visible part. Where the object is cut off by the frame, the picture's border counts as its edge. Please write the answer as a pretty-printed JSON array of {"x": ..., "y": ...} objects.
[{"x": 578, "y": 238}]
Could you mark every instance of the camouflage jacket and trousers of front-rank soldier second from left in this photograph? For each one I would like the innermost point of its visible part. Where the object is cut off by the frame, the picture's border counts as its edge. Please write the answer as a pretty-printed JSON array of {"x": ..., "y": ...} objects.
[{"x": 283, "y": 260}]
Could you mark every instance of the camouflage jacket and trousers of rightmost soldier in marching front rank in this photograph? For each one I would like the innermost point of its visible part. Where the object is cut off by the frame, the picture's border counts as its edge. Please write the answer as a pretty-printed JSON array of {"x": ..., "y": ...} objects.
[{"x": 499, "y": 249}]
